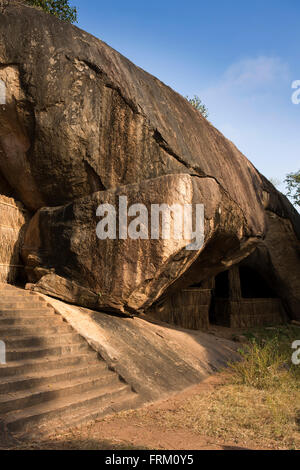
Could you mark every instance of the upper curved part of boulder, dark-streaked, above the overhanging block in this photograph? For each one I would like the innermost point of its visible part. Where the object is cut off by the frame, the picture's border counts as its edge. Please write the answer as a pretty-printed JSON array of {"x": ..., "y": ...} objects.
[{"x": 96, "y": 121}]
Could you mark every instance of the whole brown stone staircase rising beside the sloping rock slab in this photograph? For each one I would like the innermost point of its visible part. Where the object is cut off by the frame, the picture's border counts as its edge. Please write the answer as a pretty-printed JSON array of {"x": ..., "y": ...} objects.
[{"x": 52, "y": 379}]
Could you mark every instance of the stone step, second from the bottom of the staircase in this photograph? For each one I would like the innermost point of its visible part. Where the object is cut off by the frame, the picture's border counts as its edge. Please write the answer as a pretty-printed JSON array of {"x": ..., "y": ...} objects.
[{"x": 52, "y": 392}]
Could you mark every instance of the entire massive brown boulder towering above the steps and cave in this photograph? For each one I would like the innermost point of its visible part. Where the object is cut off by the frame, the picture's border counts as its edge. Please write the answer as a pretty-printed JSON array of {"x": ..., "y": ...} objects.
[{"x": 83, "y": 125}]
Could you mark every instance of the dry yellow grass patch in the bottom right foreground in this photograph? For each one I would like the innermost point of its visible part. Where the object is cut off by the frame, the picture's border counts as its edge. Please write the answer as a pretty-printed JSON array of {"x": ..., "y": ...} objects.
[{"x": 234, "y": 413}]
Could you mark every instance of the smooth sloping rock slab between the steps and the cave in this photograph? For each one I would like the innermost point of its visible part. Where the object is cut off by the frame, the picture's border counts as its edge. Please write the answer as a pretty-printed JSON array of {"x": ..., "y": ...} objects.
[{"x": 154, "y": 359}]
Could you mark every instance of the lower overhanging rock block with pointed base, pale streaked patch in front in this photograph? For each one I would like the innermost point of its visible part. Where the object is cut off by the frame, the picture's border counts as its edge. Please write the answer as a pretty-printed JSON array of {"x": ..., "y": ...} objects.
[{"x": 130, "y": 274}]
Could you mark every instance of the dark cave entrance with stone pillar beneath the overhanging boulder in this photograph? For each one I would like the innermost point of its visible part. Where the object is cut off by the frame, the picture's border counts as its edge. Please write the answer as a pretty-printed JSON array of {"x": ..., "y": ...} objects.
[{"x": 236, "y": 298}]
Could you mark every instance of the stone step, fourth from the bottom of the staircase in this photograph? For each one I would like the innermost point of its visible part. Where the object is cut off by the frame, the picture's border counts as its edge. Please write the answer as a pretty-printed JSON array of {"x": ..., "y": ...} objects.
[{"x": 38, "y": 366}]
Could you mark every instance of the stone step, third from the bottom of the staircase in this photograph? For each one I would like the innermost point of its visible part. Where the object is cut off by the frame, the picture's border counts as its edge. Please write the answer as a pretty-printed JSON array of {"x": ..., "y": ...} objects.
[{"x": 34, "y": 380}]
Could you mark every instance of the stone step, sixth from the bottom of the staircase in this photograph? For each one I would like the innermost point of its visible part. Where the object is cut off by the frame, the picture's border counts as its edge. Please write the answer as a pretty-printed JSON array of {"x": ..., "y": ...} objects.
[{"x": 17, "y": 342}]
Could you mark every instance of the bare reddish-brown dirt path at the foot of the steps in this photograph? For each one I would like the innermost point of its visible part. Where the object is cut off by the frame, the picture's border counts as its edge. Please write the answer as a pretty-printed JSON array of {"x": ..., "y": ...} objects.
[{"x": 129, "y": 431}]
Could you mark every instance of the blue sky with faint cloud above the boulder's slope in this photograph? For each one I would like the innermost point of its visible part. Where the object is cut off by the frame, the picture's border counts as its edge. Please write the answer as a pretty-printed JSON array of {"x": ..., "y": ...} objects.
[{"x": 239, "y": 56}]
